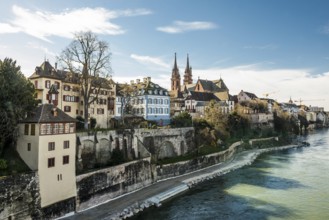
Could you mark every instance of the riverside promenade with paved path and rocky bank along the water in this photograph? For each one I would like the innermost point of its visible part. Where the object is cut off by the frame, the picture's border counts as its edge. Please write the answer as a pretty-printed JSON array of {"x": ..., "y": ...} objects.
[{"x": 129, "y": 204}]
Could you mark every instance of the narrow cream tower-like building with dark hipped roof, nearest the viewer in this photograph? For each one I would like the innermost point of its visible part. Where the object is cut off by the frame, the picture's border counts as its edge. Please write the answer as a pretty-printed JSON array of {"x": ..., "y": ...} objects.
[{"x": 47, "y": 144}]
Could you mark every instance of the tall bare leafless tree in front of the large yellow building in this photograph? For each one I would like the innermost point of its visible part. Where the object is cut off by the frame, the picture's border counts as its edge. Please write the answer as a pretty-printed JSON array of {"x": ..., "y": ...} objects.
[{"x": 89, "y": 59}]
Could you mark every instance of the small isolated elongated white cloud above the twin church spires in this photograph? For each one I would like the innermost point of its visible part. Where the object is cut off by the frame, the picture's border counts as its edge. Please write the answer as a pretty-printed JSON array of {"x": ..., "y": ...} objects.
[{"x": 182, "y": 26}]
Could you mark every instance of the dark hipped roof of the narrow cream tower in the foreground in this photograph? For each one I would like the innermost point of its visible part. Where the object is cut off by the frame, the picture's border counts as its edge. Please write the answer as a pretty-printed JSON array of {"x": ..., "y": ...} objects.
[{"x": 45, "y": 114}]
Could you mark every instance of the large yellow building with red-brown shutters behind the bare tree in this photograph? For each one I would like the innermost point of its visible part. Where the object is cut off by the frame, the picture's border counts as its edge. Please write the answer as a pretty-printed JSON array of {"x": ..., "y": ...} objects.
[{"x": 67, "y": 94}]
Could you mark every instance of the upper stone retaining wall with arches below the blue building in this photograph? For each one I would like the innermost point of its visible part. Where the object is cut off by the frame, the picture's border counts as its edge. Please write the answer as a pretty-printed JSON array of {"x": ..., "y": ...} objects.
[{"x": 95, "y": 149}]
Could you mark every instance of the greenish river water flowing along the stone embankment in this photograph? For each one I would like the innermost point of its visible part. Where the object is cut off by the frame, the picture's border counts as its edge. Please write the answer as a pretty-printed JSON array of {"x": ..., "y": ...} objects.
[{"x": 289, "y": 184}]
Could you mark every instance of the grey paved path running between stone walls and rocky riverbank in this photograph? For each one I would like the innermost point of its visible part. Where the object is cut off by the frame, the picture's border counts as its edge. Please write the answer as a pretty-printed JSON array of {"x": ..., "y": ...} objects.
[{"x": 111, "y": 208}]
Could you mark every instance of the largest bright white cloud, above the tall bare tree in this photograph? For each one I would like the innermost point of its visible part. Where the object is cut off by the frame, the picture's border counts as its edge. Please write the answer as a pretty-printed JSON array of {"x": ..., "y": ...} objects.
[{"x": 42, "y": 24}]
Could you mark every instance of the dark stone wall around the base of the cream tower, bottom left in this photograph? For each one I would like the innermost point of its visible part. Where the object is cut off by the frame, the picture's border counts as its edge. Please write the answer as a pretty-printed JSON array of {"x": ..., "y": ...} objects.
[{"x": 20, "y": 199}]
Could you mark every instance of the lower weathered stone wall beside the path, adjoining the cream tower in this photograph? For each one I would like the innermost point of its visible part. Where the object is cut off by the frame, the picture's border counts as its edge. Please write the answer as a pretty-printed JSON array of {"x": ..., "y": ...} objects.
[{"x": 101, "y": 185}]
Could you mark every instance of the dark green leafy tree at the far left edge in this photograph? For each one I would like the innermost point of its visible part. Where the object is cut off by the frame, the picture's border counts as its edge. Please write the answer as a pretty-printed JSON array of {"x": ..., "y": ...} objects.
[{"x": 17, "y": 99}]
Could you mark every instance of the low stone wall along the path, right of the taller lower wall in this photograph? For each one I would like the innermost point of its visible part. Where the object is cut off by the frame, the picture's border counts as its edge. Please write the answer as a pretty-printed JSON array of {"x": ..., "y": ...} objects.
[{"x": 176, "y": 169}]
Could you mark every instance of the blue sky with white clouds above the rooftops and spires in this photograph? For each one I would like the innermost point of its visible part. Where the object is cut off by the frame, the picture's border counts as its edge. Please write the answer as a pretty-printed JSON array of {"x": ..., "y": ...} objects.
[{"x": 278, "y": 48}]
